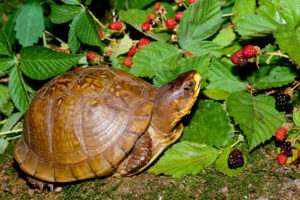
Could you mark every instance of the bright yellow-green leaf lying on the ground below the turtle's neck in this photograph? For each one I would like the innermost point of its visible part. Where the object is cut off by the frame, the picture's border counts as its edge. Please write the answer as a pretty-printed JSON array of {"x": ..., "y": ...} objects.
[{"x": 185, "y": 158}]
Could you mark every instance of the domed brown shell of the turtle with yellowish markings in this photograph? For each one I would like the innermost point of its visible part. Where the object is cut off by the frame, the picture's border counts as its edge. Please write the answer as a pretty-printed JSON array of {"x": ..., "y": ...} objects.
[{"x": 83, "y": 123}]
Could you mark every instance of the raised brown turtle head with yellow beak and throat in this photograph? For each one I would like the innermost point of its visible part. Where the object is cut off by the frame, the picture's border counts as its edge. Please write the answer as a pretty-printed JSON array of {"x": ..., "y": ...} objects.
[{"x": 175, "y": 100}]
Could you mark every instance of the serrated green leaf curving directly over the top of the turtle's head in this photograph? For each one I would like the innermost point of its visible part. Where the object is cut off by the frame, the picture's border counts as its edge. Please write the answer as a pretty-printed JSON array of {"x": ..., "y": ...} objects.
[{"x": 198, "y": 63}]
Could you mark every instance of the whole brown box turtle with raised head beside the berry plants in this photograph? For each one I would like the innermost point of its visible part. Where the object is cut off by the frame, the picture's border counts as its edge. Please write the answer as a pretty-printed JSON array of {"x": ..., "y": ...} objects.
[{"x": 101, "y": 121}]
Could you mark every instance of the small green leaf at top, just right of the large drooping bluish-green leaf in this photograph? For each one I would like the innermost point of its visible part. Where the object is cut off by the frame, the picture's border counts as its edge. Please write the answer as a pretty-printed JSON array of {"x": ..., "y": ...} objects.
[{"x": 63, "y": 13}]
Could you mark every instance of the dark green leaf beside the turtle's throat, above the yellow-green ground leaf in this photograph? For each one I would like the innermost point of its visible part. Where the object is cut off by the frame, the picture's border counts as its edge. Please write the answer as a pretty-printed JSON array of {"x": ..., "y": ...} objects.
[{"x": 209, "y": 125}]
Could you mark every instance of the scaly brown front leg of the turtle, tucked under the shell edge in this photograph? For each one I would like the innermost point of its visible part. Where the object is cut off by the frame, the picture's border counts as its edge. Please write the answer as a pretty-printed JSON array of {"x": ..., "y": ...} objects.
[{"x": 138, "y": 157}]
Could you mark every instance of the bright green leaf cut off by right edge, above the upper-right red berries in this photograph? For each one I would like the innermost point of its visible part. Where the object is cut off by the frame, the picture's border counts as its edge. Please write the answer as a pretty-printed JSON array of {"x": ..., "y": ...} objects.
[{"x": 288, "y": 39}]
